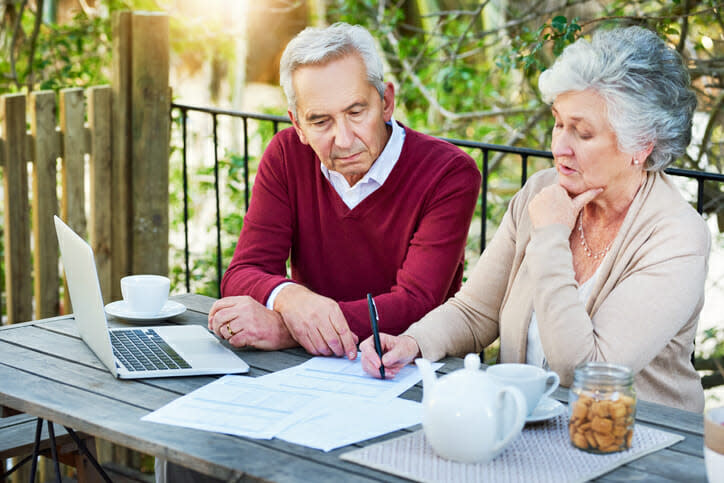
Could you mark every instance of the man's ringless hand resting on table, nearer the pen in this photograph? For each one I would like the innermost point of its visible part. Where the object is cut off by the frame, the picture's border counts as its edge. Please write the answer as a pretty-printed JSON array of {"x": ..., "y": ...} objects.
[{"x": 315, "y": 322}]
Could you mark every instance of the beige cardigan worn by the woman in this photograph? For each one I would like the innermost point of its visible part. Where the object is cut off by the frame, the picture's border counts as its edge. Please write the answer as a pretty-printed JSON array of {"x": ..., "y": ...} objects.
[{"x": 643, "y": 309}]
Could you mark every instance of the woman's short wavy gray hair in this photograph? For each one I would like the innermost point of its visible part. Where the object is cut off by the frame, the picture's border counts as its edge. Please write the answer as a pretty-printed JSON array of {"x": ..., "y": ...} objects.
[{"x": 644, "y": 83}]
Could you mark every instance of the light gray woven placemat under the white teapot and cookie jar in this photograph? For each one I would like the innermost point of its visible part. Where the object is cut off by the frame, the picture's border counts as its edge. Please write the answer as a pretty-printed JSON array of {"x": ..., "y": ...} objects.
[{"x": 541, "y": 453}]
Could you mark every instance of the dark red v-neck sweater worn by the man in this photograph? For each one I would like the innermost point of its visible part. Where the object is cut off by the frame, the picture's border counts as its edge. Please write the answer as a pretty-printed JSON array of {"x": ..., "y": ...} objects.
[{"x": 404, "y": 243}]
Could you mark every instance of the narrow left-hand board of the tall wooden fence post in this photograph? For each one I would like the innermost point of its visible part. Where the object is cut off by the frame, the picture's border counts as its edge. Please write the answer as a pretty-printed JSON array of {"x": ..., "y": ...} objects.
[{"x": 120, "y": 189}]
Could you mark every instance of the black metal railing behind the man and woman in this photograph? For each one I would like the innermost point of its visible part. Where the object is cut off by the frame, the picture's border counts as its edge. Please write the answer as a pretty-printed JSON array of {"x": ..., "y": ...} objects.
[{"x": 485, "y": 149}]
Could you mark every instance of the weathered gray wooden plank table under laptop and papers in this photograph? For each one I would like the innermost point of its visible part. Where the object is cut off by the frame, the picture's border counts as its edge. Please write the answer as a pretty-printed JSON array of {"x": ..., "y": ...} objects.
[{"x": 47, "y": 371}]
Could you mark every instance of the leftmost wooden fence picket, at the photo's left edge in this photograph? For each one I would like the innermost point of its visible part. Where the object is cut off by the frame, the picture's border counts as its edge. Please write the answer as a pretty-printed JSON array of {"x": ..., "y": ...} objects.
[{"x": 19, "y": 289}]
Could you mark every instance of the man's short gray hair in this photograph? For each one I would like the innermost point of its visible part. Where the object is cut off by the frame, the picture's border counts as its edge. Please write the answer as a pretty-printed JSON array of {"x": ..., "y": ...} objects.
[{"x": 317, "y": 46}]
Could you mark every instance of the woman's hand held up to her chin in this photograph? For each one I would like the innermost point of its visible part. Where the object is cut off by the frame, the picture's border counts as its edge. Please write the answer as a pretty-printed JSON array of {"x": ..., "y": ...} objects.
[{"x": 552, "y": 205}]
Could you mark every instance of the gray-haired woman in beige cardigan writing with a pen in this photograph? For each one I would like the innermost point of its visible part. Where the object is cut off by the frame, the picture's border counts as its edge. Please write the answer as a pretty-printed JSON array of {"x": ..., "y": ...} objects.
[{"x": 600, "y": 258}]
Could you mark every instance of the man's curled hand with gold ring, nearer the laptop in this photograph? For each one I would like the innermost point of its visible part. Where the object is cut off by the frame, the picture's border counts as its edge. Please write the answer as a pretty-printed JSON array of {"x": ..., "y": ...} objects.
[{"x": 244, "y": 322}]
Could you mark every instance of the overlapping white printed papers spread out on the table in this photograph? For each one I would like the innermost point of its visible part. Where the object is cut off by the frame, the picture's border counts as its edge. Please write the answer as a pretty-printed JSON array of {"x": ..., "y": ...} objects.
[{"x": 323, "y": 403}]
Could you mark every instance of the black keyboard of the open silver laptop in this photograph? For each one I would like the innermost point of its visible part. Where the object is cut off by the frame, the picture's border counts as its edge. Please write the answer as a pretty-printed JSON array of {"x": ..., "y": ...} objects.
[{"x": 145, "y": 350}]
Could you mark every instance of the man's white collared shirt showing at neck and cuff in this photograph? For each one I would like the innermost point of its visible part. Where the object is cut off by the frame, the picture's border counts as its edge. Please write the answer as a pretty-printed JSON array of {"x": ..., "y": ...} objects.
[{"x": 373, "y": 179}]
